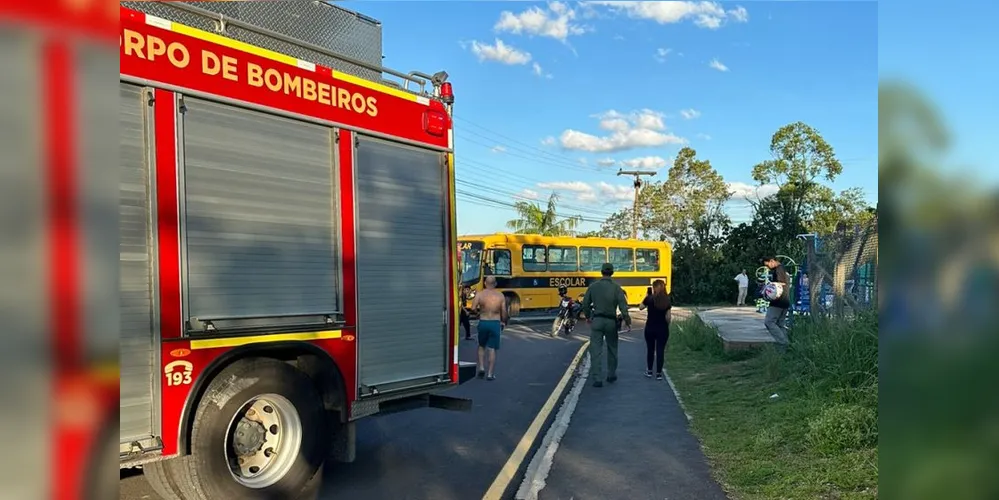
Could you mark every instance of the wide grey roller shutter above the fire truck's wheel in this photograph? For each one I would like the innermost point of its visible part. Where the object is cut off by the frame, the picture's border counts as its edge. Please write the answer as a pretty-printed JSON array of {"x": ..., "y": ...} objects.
[{"x": 260, "y": 224}]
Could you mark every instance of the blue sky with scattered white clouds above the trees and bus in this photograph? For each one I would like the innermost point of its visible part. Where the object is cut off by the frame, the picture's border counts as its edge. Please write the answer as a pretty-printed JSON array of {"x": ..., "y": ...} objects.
[{"x": 559, "y": 96}]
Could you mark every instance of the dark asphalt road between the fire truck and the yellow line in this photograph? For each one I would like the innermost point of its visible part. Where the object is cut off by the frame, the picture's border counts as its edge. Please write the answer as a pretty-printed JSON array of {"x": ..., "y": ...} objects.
[{"x": 440, "y": 455}]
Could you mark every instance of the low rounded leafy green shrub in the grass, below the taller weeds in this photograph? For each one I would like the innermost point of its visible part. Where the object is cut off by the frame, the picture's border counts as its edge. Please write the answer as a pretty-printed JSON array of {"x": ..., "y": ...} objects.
[{"x": 841, "y": 427}]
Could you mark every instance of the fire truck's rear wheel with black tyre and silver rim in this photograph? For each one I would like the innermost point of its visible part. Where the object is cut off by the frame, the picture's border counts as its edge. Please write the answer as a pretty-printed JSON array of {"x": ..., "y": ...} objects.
[{"x": 260, "y": 432}]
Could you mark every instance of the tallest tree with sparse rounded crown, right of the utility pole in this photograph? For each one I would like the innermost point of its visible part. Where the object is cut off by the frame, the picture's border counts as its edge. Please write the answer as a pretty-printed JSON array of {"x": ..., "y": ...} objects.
[{"x": 800, "y": 157}]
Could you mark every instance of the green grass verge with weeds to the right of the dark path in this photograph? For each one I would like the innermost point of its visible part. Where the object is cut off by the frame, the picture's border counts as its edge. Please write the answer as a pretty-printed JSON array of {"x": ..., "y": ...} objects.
[{"x": 816, "y": 439}]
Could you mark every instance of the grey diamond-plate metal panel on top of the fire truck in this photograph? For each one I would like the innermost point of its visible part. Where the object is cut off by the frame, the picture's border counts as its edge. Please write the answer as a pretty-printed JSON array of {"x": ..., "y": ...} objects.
[{"x": 329, "y": 26}]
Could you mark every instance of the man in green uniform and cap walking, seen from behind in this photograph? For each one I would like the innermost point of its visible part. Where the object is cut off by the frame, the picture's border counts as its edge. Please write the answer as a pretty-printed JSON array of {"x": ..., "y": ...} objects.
[{"x": 603, "y": 298}]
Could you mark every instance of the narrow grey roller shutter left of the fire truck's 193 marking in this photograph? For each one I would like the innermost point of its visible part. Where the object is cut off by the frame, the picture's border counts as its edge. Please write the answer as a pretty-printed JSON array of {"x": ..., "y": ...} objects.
[{"x": 136, "y": 285}]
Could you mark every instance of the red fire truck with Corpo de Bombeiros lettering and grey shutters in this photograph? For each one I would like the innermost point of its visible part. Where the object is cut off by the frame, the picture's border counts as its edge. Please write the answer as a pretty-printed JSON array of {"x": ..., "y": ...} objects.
[{"x": 287, "y": 238}]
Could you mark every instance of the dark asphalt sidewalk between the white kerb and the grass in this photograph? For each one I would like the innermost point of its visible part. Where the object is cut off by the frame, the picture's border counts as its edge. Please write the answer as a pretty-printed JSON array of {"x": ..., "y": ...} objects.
[{"x": 629, "y": 440}]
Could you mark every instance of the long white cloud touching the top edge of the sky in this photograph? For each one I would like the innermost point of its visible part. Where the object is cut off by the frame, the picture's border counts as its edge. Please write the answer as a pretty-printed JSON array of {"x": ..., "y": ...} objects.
[{"x": 704, "y": 14}]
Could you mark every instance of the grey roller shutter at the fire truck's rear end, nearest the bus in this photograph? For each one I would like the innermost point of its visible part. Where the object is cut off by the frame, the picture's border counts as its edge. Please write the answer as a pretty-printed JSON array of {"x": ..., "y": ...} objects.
[{"x": 402, "y": 278}]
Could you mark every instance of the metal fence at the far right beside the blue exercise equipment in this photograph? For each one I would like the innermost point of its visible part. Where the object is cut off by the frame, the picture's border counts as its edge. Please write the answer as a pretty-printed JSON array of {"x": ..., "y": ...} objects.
[{"x": 841, "y": 270}]
